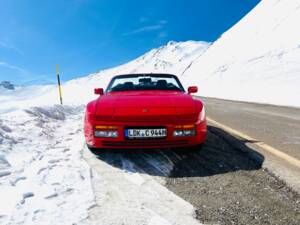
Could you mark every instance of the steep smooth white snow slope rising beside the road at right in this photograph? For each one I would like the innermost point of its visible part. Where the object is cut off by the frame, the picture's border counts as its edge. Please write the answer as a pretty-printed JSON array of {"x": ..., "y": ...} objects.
[{"x": 257, "y": 60}]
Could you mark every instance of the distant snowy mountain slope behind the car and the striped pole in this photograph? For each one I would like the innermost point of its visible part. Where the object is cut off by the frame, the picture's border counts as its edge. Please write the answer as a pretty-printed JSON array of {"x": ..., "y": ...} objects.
[{"x": 174, "y": 57}]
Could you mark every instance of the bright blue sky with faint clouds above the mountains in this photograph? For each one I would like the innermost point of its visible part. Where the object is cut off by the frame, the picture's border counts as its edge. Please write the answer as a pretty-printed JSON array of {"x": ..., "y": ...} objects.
[{"x": 85, "y": 36}]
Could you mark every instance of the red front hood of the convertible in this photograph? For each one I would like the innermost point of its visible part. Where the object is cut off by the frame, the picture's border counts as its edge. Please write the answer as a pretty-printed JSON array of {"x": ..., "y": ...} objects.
[{"x": 149, "y": 106}]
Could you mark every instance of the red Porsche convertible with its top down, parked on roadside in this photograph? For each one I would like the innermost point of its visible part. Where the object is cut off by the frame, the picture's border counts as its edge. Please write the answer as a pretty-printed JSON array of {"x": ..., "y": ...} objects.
[{"x": 145, "y": 111}]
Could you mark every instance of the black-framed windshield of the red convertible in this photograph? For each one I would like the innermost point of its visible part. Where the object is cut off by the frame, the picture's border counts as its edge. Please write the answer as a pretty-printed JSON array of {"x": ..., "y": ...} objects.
[{"x": 145, "y": 82}]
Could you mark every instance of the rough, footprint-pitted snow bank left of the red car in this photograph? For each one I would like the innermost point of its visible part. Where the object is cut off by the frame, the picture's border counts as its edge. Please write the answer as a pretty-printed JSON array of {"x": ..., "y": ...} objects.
[{"x": 43, "y": 178}]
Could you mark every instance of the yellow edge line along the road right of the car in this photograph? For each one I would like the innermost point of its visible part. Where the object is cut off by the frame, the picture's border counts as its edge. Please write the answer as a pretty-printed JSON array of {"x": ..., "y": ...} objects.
[{"x": 260, "y": 144}]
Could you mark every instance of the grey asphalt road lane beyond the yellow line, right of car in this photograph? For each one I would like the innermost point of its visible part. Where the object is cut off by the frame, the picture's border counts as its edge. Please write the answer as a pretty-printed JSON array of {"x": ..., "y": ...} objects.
[{"x": 276, "y": 126}]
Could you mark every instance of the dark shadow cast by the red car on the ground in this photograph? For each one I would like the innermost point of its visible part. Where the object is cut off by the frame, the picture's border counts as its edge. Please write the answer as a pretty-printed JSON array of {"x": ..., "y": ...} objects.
[{"x": 222, "y": 153}]
